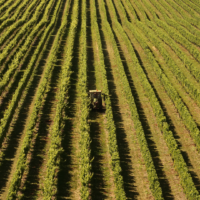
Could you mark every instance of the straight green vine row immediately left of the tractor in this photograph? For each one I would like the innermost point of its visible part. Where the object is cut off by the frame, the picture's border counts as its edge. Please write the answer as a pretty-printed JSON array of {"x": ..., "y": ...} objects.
[{"x": 85, "y": 157}]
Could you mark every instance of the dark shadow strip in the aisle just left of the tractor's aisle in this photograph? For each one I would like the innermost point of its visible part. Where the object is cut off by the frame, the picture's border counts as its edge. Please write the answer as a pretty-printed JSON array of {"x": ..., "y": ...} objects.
[{"x": 66, "y": 164}]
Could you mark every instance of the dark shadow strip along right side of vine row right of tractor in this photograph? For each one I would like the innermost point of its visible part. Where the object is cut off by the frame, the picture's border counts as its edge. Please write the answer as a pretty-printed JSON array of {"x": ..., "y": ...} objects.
[{"x": 124, "y": 151}]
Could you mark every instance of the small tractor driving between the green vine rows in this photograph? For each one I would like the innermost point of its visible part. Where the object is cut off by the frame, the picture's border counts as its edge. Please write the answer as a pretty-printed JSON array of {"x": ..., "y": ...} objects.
[{"x": 96, "y": 99}]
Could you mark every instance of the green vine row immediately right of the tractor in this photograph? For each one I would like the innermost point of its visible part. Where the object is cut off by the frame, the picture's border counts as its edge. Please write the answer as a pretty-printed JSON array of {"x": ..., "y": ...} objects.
[{"x": 113, "y": 147}]
